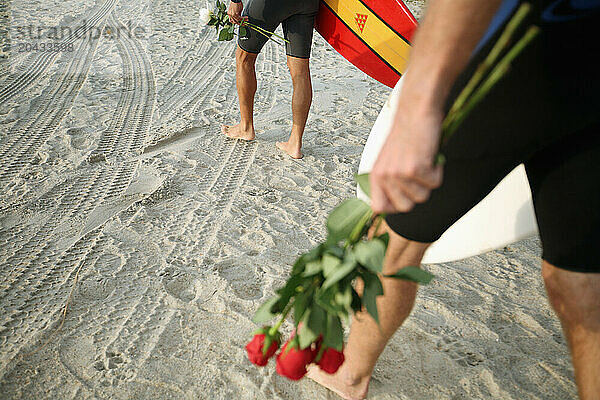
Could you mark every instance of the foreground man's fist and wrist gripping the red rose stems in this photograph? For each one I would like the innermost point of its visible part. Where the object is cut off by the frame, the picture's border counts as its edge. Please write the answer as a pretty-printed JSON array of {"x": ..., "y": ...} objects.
[{"x": 404, "y": 173}]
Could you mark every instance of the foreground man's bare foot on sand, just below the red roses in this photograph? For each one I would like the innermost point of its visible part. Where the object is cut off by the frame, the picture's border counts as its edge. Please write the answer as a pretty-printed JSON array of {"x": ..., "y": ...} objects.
[{"x": 340, "y": 383}]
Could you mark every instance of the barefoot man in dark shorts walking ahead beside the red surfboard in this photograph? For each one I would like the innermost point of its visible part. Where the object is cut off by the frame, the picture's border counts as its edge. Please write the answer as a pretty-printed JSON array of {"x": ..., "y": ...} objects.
[{"x": 297, "y": 18}]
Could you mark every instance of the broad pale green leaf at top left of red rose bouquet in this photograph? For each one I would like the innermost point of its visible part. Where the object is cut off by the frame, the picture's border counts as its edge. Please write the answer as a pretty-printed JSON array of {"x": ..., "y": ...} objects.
[{"x": 344, "y": 218}]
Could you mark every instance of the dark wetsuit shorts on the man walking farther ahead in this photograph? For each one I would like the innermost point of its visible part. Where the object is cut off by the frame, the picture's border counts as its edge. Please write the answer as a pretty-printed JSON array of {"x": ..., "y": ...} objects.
[{"x": 296, "y": 16}]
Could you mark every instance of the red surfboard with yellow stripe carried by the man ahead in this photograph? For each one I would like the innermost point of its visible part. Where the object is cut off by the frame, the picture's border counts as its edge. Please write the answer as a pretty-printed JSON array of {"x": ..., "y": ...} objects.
[{"x": 374, "y": 35}]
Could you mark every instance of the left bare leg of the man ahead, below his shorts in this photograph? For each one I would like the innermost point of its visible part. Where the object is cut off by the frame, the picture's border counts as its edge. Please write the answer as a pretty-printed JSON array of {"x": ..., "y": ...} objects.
[{"x": 246, "y": 87}]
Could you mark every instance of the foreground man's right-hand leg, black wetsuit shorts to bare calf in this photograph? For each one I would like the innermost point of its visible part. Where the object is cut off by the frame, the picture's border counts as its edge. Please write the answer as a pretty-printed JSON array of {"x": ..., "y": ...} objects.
[{"x": 563, "y": 178}]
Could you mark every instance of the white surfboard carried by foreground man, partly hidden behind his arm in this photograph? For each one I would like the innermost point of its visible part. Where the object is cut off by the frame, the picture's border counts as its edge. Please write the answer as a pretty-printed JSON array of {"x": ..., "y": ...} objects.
[{"x": 504, "y": 216}]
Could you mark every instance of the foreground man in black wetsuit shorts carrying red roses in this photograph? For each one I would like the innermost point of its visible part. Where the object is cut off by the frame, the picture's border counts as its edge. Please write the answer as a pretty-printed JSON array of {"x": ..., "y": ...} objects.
[{"x": 544, "y": 114}]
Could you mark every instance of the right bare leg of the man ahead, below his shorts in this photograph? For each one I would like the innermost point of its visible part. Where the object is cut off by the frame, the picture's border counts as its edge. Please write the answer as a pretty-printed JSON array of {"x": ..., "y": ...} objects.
[{"x": 301, "y": 100}]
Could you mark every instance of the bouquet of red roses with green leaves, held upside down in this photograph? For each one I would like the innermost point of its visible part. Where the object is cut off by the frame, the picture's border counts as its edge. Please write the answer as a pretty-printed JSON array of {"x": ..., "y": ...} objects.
[{"x": 319, "y": 292}]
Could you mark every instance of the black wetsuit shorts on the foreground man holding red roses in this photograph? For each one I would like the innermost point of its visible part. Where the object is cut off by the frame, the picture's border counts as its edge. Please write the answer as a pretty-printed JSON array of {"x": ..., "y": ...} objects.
[{"x": 545, "y": 114}]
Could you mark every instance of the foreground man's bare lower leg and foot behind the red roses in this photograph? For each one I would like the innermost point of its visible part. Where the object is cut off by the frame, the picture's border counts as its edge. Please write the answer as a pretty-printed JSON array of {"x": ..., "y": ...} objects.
[{"x": 367, "y": 340}]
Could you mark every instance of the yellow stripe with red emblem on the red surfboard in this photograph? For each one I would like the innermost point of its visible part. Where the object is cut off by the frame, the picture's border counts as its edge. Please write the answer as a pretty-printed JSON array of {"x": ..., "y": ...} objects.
[{"x": 375, "y": 33}]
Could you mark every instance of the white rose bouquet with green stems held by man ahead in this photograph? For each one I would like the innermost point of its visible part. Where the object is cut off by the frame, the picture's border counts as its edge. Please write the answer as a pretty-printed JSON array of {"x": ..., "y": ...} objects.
[{"x": 218, "y": 18}]
